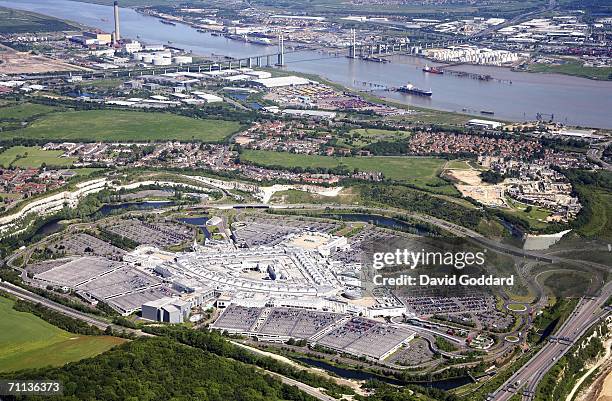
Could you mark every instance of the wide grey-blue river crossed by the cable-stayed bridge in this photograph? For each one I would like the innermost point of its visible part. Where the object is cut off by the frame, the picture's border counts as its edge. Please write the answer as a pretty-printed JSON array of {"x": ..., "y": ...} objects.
[{"x": 571, "y": 100}]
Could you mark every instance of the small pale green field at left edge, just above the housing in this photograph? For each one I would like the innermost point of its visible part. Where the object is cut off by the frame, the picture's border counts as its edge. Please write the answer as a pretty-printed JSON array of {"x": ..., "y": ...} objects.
[{"x": 33, "y": 156}]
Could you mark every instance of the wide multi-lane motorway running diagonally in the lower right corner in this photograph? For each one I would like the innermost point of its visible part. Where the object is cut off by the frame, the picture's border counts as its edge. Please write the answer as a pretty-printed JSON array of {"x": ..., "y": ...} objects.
[{"x": 587, "y": 313}]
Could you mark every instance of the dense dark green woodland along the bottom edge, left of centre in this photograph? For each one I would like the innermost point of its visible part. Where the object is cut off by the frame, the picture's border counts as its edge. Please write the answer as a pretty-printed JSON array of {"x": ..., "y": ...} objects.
[{"x": 160, "y": 369}]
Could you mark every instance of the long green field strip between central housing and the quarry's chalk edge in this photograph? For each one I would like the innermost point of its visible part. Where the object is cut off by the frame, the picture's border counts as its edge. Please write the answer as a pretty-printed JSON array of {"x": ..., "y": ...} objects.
[{"x": 419, "y": 171}]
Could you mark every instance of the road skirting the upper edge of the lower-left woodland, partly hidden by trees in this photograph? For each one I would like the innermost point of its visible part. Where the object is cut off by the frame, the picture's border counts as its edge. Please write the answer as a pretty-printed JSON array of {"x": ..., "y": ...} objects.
[{"x": 30, "y": 296}]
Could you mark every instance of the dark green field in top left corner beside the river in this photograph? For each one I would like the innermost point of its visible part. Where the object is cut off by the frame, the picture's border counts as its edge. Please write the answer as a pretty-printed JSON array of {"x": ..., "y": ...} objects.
[{"x": 17, "y": 21}]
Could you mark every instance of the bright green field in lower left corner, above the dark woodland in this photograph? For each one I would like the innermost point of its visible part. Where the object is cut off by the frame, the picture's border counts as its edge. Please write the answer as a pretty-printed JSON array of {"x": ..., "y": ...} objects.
[{"x": 27, "y": 341}]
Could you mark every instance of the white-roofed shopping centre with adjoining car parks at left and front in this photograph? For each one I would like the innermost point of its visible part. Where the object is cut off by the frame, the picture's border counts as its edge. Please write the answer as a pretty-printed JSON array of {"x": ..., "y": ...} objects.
[{"x": 292, "y": 288}]
